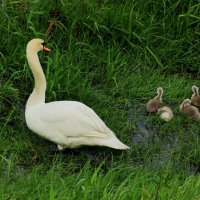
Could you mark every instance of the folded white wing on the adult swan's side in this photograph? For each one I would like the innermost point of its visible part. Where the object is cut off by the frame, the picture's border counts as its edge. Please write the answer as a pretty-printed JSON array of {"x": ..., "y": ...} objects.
[{"x": 72, "y": 119}]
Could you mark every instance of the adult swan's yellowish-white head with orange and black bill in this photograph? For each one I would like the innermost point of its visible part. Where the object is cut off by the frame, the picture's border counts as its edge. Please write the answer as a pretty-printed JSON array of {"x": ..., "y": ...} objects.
[{"x": 37, "y": 45}]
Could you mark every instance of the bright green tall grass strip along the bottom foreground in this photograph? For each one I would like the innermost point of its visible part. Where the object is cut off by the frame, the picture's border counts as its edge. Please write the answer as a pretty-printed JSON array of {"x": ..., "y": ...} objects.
[{"x": 68, "y": 181}]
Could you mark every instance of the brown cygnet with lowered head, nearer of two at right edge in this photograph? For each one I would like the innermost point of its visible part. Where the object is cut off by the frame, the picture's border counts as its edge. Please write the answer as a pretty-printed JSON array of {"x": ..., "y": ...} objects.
[{"x": 190, "y": 110}]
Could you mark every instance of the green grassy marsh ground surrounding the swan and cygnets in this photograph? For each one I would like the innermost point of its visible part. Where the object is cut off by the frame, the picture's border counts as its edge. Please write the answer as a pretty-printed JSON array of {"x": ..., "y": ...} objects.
[{"x": 110, "y": 55}]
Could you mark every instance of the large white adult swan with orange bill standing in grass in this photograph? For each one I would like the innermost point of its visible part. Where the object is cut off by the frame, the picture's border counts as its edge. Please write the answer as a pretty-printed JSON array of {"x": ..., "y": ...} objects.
[{"x": 69, "y": 124}]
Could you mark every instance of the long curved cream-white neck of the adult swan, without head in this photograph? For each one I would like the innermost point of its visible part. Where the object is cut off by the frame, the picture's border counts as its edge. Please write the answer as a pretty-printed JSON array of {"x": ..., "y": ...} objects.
[{"x": 38, "y": 94}]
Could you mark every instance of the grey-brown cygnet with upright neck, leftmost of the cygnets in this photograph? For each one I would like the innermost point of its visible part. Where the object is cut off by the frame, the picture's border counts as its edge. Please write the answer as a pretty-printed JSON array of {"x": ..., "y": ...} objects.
[{"x": 155, "y": 103}]
